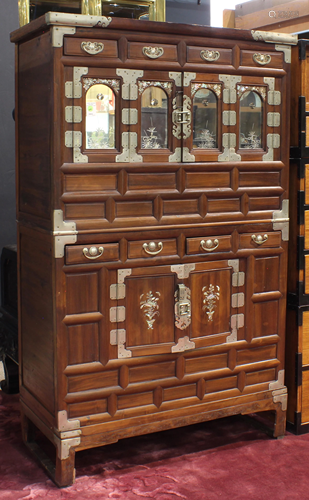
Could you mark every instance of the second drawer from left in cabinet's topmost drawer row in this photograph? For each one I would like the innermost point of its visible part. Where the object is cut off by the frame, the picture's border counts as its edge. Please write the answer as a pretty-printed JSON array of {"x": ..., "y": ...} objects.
[{"x": 152, "y": 51}]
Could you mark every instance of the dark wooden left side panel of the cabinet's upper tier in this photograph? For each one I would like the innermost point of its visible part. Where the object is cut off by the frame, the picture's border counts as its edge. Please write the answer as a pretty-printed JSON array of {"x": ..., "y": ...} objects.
[{"x": 34, "y": 127}]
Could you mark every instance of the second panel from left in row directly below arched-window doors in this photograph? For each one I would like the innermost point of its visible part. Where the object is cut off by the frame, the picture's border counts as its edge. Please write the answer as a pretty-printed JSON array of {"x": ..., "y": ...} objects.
[{"x": 151, "y": 182}]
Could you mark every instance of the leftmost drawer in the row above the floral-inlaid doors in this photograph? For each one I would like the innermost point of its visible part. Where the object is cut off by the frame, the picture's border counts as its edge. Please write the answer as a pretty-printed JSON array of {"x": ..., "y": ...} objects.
[{"x": 97, "y": 252}]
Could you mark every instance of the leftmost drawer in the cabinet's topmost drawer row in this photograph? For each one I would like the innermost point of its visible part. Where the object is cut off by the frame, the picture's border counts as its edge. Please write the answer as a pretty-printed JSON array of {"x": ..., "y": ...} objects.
[{"x": 90, "y": 48}]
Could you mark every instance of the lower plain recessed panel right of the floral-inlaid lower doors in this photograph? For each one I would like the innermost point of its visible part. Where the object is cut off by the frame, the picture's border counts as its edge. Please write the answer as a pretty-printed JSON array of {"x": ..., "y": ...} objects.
[{"x": 265, "y": 318}]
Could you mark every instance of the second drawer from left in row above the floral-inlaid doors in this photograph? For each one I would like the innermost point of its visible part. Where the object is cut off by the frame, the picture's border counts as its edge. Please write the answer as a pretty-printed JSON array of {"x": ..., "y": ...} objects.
[{"x": 152, "y": 248}]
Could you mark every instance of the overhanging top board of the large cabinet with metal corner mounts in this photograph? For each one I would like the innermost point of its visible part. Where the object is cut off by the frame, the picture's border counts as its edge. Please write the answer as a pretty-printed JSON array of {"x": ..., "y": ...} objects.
[{"x": 50, "y": 19}]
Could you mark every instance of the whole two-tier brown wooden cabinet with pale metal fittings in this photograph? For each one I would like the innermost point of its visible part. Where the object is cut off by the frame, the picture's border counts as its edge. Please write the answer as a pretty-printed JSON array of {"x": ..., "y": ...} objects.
[{"x": 152, "y": 206}]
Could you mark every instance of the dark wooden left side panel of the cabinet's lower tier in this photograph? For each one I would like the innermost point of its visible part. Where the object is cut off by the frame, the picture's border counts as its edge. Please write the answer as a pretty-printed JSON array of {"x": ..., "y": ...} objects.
[{"x": 36, "y": 309}]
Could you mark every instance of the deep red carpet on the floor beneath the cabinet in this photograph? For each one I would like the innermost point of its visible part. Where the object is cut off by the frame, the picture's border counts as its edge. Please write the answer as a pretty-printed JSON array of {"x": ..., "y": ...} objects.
[{"x": 227, "y": 459}]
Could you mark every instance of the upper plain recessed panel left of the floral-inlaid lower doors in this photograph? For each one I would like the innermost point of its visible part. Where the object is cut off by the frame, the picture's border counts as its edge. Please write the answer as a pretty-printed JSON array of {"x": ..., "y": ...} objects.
[{"x": 82, "y": 293}]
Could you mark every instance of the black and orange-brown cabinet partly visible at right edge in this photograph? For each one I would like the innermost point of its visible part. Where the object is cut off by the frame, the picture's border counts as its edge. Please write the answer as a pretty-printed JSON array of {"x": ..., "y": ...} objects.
[{"x": 297, "y": 361}]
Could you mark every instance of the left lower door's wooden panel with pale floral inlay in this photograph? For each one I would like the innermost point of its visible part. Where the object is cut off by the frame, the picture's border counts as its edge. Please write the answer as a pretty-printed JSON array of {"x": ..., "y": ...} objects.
[{"x": 150, "y": 310}]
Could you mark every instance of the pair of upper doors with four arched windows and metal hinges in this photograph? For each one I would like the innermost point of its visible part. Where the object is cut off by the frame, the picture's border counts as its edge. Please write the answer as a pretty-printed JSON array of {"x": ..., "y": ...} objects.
[{"x": 132, "y": 116}]
